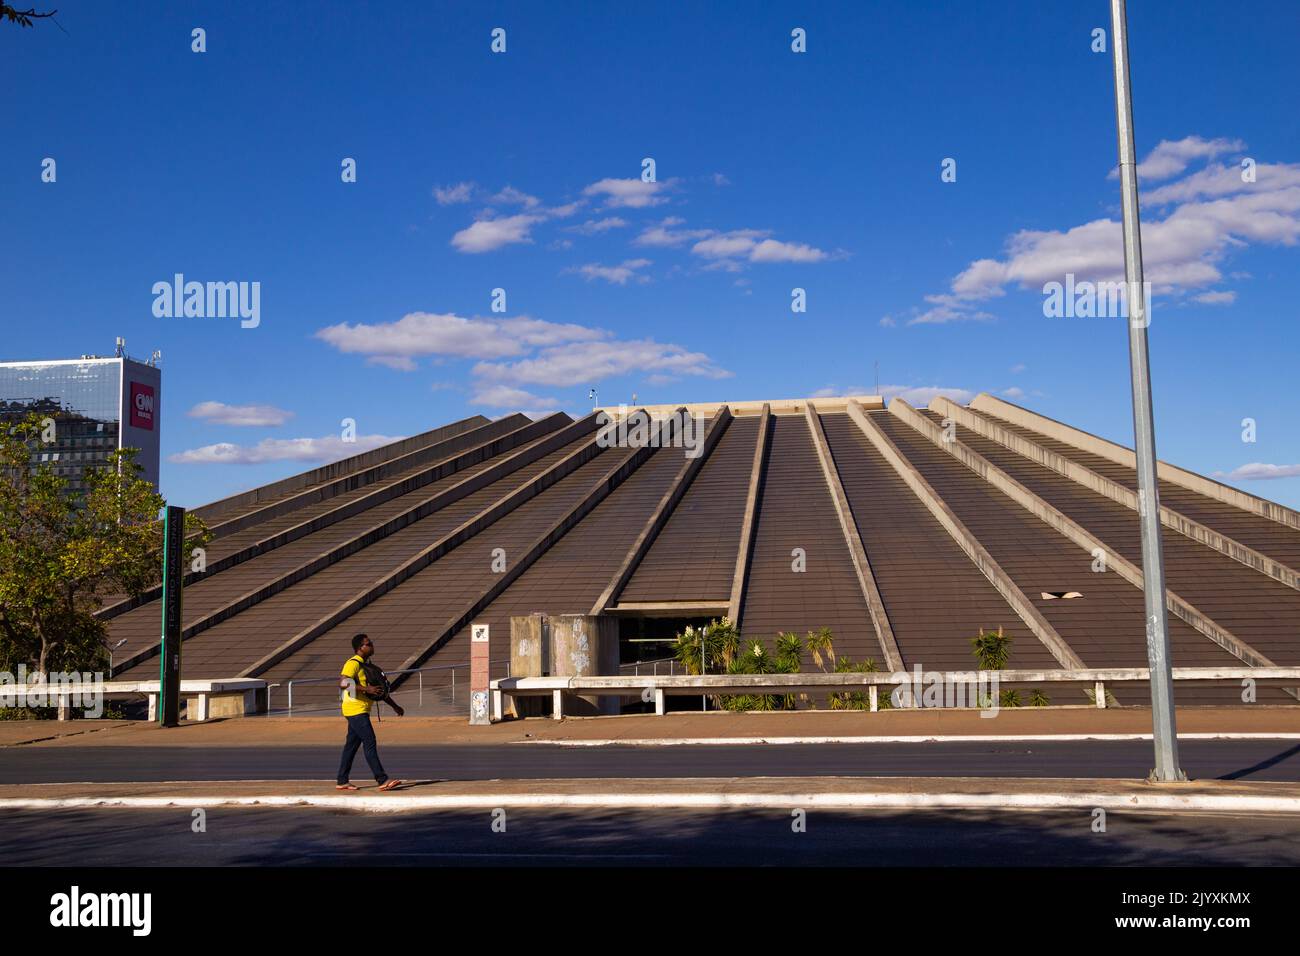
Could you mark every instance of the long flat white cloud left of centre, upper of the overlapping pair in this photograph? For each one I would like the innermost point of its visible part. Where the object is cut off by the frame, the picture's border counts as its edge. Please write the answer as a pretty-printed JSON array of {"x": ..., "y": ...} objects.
[{"x": 426, "y": 334}]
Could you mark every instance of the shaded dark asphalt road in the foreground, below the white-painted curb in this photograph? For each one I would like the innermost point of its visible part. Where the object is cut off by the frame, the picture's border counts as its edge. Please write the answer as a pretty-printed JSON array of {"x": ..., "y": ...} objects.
[{"x": 592, "y": 838}]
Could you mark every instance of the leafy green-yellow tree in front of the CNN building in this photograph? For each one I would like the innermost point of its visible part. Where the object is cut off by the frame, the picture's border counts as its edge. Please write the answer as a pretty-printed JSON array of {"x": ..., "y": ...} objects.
[{"x": 63, "y": 553}]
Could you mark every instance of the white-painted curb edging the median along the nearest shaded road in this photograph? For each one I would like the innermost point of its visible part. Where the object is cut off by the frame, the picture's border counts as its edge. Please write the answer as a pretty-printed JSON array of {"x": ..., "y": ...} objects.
[{"x": 652, "y": 802}]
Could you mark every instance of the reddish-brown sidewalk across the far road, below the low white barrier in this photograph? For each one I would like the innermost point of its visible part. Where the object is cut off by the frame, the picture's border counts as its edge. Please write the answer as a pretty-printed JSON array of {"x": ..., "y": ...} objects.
[{"x": 809, "y": 726}]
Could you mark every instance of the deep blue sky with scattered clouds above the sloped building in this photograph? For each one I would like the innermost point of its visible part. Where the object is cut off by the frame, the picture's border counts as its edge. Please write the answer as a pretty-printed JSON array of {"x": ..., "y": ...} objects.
[{"x": 774, "y": 170}]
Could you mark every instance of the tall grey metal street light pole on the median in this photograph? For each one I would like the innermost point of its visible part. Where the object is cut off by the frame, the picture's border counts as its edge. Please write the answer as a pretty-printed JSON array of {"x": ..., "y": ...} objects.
[{"x": 1145, "y": 429}]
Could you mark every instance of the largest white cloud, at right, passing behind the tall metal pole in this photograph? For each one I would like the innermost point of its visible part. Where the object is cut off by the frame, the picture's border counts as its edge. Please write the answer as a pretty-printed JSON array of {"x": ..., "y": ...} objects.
[{"x": 1210, "y": 214}]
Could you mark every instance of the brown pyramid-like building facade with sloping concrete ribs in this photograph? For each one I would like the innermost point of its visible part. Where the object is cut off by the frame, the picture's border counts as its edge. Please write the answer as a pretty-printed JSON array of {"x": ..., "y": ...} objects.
[{"x": 904, "y": 531}]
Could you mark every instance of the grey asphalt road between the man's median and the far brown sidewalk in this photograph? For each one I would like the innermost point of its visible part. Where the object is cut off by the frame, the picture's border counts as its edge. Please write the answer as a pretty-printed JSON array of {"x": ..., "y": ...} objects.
[{"x": 1247, "y": 760}]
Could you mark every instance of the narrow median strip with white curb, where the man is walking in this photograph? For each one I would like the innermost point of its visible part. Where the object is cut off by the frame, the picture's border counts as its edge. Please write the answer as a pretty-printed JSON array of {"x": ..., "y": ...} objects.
[{"x": 760, "y": 793}]
